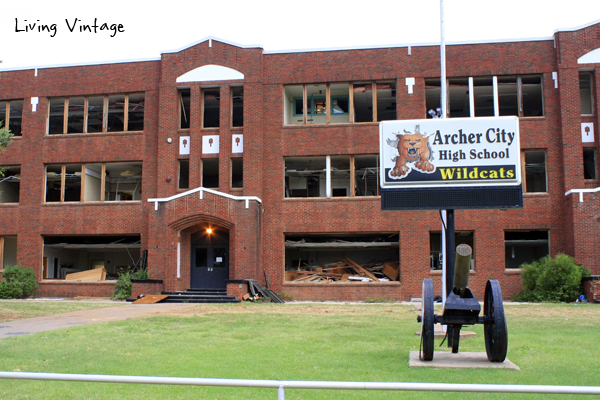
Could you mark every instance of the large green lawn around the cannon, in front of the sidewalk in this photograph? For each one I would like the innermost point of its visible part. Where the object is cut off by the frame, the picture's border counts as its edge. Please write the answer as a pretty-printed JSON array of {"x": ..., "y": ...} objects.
[{"x": 552, "y": 344}]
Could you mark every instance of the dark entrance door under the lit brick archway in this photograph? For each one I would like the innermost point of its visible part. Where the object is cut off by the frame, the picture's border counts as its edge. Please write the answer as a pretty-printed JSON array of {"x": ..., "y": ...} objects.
[{"x": 210, "y": 260}]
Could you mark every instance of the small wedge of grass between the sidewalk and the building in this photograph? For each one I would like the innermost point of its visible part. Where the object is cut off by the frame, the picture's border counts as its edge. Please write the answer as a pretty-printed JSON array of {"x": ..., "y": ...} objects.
[{"x": 12, "y": 310}]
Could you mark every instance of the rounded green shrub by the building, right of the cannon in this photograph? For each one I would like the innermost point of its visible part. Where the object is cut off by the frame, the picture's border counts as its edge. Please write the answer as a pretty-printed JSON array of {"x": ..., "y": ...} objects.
[{"x": 551, "y": 280}]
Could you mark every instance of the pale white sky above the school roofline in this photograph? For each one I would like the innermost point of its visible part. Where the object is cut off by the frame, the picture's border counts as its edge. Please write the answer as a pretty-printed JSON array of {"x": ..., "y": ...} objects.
[{"x": 144, "y": 29}]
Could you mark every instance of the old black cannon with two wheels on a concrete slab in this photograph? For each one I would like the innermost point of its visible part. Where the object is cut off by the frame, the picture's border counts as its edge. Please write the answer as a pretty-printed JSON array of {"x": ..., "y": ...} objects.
[{"x": 462, "y": 308}]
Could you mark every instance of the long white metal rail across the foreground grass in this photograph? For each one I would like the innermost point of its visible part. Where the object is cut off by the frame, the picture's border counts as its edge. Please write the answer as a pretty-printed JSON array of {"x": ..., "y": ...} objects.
[{"x": 282, "y": 385}]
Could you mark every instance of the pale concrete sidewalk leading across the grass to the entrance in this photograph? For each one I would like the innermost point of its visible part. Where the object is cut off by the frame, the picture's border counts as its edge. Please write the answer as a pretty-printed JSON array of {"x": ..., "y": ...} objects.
[{"x": 84, "y": 317}]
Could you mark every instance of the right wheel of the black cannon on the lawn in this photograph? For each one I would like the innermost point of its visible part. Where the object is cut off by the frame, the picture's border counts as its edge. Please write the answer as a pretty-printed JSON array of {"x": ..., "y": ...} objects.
[{"x": 495, "y": 332}]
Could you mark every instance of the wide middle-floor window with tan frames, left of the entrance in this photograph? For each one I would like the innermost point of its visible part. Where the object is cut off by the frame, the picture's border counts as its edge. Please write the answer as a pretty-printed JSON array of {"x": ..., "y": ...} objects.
[{"x": 93, "y": 182}]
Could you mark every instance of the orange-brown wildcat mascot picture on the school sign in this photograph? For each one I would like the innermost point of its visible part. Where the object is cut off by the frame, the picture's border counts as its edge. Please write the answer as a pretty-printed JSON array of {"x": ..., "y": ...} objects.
[{"x": 414, "y": 151}]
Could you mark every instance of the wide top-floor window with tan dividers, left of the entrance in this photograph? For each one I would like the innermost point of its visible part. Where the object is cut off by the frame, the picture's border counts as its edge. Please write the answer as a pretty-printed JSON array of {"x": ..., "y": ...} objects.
[{"x": 96, "y": 114}]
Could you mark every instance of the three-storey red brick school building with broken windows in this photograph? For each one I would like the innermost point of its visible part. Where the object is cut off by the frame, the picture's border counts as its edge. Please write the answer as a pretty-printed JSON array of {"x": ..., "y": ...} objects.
[{"x": 109, "y": 160}]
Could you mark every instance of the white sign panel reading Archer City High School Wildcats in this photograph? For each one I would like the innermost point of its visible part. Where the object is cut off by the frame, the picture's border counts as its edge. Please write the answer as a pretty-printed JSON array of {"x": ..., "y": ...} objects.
[{"x": 450, "y": 152}]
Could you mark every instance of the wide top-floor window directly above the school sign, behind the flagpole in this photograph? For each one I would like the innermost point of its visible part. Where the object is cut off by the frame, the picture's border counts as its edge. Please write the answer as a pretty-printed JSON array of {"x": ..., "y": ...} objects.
[{"x": 487, "y": 96}]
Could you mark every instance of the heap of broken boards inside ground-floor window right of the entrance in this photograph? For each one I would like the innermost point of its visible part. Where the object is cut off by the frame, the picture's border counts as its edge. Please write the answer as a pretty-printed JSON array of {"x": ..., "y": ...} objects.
[{"x": 345, "y": 270}]
